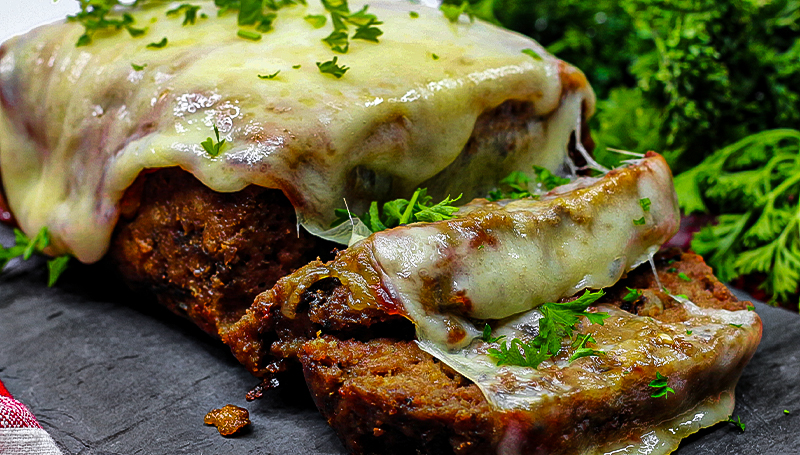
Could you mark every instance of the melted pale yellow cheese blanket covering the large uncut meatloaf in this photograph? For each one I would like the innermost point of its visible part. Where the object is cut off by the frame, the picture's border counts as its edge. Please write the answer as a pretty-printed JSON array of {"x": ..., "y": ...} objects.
[{"x": 78, "y": 125}]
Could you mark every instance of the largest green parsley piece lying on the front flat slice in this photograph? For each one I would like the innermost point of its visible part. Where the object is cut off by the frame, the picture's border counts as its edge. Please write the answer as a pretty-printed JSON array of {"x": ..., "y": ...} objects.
[{"x": 558, "y": 322}]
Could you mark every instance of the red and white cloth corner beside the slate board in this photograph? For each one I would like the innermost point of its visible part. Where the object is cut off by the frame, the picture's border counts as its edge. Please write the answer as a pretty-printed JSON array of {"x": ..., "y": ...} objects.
[{"x": 20, "y": 433}]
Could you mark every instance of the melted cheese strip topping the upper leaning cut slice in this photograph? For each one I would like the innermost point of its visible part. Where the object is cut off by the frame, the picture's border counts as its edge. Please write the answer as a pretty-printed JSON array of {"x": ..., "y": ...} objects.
[{"x": 500, "y": 261}]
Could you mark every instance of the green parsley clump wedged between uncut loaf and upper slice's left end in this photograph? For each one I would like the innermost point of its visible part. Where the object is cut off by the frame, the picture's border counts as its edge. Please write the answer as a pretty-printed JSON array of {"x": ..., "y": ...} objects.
[{"x": 402, "y": 211}]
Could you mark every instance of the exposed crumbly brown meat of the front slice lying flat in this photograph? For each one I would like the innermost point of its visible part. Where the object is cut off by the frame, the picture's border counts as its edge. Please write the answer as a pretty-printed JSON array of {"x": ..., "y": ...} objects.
[{"x": 382, "y": 394}]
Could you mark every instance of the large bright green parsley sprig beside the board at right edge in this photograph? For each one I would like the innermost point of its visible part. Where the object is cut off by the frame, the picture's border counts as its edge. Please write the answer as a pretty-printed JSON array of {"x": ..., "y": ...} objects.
[{"x": 754, "y": 187}]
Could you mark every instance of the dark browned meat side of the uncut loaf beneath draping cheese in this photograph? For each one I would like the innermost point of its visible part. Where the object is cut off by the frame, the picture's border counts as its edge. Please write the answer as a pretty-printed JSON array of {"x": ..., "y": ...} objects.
[{"x": 206, "y": 255}]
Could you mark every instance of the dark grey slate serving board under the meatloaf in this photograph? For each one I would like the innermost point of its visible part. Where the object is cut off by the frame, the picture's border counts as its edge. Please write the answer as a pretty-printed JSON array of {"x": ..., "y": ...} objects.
[{"x": 110, "y": 372}]
